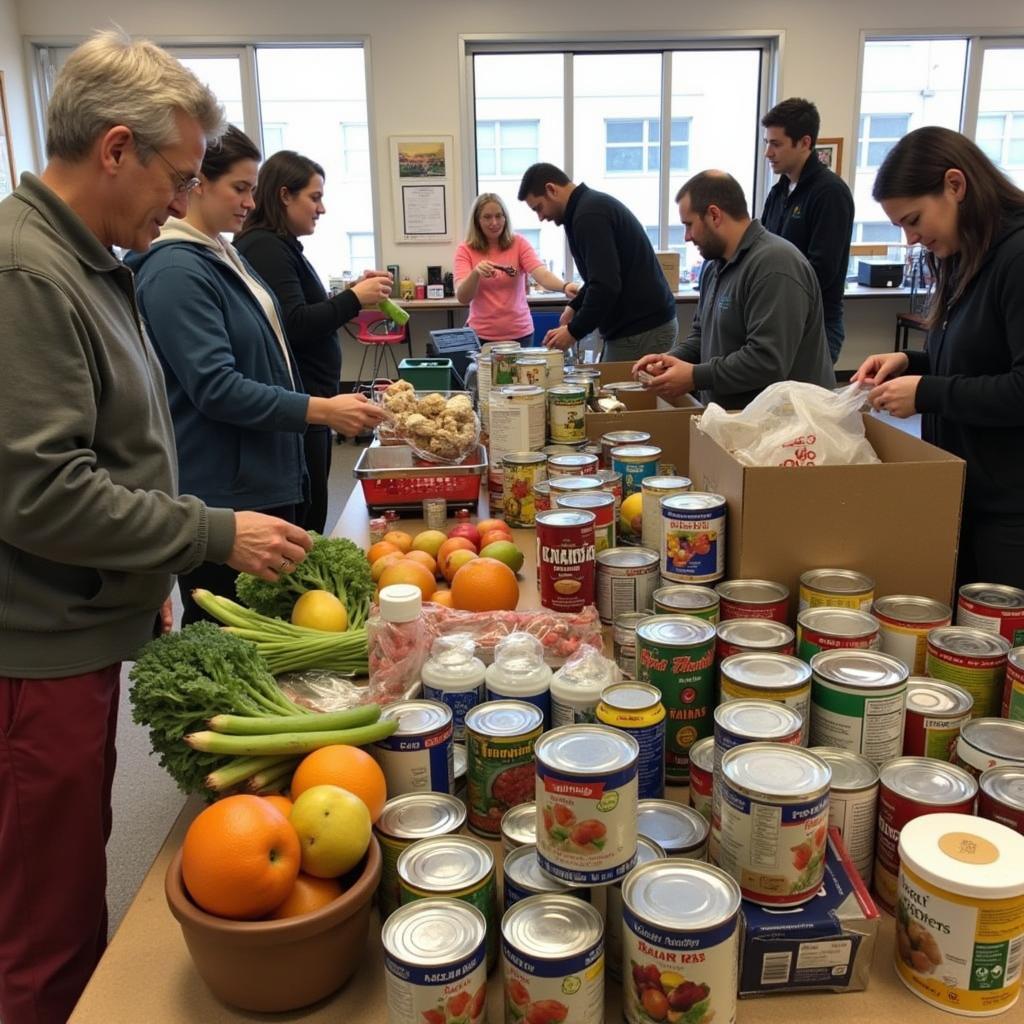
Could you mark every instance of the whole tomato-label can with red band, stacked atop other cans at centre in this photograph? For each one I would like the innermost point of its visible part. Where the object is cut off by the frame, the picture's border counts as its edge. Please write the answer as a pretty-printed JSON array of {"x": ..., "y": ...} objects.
[{"x": 587, "y": 803}]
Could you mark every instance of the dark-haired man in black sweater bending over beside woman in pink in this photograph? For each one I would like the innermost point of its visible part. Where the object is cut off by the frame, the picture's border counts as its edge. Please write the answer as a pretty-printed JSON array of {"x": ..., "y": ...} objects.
[{"x": 625, "y": 294}]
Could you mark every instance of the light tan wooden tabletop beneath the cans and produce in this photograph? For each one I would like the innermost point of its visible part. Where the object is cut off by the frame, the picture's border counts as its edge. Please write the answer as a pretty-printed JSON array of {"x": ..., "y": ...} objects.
[{"x": 147, "y": 975}]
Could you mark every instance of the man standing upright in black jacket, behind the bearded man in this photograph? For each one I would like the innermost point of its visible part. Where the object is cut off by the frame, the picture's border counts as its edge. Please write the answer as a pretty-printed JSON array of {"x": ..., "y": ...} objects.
[{"x": 809, "y": 206}]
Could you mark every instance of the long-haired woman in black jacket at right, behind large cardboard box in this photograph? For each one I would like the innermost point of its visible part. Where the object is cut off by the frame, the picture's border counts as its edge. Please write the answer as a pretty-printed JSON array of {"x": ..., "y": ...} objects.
[{"x": 969, "y": 382}]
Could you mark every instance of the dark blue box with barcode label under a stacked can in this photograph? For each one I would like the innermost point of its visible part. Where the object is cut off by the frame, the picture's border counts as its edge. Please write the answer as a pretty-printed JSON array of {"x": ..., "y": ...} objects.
[{"x": 827, "y": 944}]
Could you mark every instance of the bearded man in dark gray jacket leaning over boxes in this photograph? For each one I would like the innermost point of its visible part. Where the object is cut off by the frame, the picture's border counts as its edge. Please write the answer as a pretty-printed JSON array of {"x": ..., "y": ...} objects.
[{"x": 759, "y": 316}]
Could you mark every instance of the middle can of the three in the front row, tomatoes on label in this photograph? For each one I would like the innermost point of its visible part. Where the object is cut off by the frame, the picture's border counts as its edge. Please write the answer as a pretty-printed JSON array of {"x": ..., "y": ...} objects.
[{"x": 553, "y": 963}]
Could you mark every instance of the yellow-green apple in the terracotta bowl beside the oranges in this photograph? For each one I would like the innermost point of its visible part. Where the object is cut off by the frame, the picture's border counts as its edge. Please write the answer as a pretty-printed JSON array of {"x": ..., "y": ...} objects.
[{"x": 334, "y": 830}]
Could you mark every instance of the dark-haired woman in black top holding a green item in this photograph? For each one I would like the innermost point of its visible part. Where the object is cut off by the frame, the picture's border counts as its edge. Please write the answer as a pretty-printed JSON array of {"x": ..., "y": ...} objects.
[{"x": 289, "y": 202}]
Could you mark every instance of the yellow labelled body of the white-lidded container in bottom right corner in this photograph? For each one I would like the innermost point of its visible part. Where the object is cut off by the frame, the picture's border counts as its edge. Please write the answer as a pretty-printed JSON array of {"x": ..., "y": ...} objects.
[{"x": 957, "y": 953}]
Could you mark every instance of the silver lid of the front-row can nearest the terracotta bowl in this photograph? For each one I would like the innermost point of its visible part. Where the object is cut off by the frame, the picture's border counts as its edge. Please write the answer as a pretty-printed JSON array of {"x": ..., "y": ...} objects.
[{"x": 431, "y": 932}]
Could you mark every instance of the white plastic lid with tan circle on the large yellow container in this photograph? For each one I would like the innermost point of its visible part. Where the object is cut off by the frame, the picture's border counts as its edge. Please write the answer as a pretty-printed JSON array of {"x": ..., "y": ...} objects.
[{"x": 965, "y": 856}]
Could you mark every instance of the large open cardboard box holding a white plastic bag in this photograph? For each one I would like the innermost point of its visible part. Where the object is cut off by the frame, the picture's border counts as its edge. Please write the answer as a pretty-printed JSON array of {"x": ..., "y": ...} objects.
[{"x": 899, "y": 522}]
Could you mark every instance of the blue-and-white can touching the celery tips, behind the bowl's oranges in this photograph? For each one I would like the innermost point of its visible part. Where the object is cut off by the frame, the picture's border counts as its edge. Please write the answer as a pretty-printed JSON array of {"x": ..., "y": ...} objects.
[{"x": 418, "y": 756}]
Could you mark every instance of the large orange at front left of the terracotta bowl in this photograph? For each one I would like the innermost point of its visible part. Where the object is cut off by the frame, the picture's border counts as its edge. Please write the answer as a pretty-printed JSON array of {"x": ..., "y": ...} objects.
[{"x": 240, "y": 859}]
